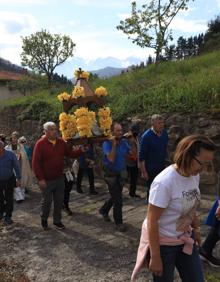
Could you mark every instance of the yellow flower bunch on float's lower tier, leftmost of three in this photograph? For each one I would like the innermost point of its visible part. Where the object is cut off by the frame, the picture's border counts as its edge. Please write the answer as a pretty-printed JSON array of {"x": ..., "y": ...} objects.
[{"x": 67, "y": 125}]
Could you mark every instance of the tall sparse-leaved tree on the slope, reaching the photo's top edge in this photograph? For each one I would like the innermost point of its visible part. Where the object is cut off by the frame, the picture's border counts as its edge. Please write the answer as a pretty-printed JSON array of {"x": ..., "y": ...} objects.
[{"x": 148, "y": 27}]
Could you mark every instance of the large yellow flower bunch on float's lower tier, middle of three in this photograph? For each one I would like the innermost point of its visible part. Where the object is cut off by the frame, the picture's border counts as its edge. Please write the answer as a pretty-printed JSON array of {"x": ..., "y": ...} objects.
[{"x": 84, "y": 121}]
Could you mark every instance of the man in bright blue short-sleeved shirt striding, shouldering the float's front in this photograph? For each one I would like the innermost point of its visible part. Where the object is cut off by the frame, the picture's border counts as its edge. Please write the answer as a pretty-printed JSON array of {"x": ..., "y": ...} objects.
[{"x": 115, "y": 152}]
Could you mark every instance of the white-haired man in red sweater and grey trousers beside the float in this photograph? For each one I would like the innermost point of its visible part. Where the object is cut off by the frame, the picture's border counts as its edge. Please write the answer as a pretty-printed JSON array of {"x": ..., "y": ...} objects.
[{"x": 48, "y": 164}]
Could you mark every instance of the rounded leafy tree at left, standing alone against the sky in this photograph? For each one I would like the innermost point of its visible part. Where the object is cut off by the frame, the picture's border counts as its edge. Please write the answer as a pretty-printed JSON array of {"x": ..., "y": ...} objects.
[{"x": 43, "y": 52}]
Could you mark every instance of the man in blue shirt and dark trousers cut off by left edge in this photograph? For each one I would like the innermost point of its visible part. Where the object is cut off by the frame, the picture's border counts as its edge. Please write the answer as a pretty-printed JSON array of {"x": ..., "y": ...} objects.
[{"x": 8, "y": 165}]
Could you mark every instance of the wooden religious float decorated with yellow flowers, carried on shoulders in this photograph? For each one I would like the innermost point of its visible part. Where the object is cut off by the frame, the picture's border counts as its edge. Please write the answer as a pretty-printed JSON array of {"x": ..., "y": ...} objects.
[{"x": 85, "y": 118}]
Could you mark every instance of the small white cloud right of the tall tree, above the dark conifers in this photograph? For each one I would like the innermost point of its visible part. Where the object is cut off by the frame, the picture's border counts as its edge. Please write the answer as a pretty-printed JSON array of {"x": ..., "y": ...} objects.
[{"x": 190, "y": 26}]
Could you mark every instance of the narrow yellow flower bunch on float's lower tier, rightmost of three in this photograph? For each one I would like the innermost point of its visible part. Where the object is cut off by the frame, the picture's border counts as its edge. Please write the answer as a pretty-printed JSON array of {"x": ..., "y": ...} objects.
[{"x": 105, "y": 120}]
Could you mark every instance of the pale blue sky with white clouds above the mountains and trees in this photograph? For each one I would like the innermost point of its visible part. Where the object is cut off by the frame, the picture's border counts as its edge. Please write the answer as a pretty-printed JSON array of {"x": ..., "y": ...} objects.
[{"x": 91, "y": 24}]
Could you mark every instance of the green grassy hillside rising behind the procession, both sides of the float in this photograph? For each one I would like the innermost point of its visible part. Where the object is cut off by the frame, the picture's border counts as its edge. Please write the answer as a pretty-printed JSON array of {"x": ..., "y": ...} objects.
[{"x": 191, "y": 86}]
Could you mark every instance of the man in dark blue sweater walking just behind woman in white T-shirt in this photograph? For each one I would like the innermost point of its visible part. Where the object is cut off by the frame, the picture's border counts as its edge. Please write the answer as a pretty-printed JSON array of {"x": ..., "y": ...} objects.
[{"x": 153, "y": 150}]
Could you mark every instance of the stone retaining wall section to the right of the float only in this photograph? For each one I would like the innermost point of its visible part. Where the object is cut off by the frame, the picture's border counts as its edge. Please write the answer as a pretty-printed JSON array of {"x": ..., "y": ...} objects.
[{"x": 180, "y": 125}]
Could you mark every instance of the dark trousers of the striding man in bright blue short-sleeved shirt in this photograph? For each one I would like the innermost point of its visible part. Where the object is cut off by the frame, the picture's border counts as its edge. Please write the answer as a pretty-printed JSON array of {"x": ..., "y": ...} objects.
[{"x": 115, "y": 187}]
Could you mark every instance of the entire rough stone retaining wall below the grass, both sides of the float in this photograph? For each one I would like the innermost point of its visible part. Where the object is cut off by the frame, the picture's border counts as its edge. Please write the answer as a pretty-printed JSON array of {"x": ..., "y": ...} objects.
[{"x": 178, "y": 126}]
